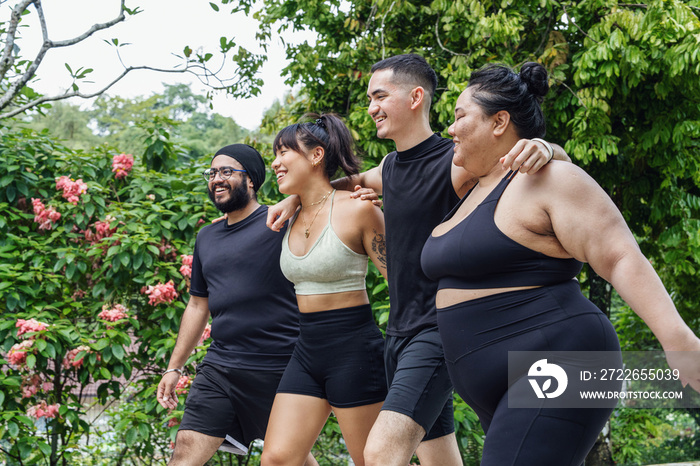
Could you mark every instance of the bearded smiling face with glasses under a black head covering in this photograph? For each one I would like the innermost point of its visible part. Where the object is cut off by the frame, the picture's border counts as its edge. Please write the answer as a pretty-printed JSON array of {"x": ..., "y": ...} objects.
[{"x": 232, "y": 194}]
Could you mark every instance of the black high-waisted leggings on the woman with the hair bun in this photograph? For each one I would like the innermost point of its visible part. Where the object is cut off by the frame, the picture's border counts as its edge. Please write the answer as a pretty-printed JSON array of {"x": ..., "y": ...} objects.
[{"x": 477, "y": 336}]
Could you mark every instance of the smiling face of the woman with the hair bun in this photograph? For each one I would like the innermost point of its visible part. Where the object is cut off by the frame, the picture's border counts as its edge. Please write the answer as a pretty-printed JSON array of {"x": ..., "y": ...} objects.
[{"x": 473, "y": 135}]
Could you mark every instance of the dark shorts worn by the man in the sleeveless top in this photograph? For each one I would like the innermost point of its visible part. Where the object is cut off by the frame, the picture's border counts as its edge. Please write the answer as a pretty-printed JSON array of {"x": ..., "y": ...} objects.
[{"x": 419, "y": 384}]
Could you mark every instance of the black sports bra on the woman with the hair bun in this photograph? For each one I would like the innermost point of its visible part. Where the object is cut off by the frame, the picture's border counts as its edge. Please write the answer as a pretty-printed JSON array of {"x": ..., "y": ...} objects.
[{"x": 475, "y": 254}]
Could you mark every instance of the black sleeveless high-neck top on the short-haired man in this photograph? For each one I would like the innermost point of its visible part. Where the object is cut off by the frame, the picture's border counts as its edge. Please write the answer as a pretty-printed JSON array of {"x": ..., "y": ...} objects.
[{"x": 418, "y": 193}]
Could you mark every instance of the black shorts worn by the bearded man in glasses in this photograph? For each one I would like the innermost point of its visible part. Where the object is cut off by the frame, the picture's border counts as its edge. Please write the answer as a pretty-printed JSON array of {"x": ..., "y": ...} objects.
[{"x": 226, "y": 401}]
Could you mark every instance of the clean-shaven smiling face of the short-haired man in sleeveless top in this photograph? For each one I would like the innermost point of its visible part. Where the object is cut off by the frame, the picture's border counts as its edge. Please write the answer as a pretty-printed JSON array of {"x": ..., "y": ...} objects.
[{"x": 389, "y": 104}]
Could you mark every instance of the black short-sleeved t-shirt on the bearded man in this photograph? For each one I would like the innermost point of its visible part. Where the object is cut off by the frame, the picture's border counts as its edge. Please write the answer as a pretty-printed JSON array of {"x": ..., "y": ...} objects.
[{"x": 255, "y": 319}]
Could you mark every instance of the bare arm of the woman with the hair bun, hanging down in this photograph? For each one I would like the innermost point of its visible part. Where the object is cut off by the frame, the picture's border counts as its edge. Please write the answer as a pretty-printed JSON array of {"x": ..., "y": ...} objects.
[{"x": 591, "y": 228}]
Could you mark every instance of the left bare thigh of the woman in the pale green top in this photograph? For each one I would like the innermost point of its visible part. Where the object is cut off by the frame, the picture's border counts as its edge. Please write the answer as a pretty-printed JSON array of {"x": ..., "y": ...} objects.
[{"x": 295, "y": 423}]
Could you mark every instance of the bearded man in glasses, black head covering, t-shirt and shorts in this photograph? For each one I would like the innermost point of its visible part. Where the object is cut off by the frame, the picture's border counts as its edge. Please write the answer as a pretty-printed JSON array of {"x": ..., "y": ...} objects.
[{"x": 237, "y": 279}]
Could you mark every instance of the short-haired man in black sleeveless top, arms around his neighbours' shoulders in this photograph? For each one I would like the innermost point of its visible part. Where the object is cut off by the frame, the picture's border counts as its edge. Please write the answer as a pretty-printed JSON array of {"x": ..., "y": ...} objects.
[{"x": 420, "y": 185}]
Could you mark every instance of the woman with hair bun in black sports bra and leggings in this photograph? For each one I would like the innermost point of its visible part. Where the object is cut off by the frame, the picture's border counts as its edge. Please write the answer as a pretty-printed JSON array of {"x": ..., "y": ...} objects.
[{"x": 506, "y": 259}]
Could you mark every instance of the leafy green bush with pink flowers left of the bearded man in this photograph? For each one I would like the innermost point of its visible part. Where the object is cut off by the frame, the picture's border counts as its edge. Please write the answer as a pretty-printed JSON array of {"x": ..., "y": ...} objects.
[{"x": 120, "y": 237}]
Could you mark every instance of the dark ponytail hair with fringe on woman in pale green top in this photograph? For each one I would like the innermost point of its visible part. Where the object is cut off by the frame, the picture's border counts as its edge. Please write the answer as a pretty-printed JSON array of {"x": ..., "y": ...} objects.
[{"x": 328, "y": 131}]
